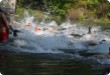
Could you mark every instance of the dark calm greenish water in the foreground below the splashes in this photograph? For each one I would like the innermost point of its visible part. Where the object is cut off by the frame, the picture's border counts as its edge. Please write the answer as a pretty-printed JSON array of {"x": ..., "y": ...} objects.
[{"x": 19, "y": 65}]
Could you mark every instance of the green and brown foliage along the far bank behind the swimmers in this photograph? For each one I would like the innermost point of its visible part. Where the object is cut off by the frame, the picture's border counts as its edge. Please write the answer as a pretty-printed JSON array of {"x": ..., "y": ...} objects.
[{"x": 73, "y": 9}]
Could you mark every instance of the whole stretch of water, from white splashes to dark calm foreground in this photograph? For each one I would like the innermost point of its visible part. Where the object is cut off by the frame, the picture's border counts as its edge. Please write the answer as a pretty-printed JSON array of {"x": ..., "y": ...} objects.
[{"x": 47, "y": 43}]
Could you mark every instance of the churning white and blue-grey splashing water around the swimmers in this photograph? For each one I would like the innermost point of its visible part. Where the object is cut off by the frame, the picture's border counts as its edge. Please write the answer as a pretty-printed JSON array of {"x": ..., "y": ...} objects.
[{"x": 51, "y": 38}]
